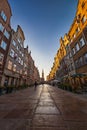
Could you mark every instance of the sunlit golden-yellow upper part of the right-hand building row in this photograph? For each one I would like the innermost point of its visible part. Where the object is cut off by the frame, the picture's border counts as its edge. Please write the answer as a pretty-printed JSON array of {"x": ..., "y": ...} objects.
[{"x": 77, "y": 26}]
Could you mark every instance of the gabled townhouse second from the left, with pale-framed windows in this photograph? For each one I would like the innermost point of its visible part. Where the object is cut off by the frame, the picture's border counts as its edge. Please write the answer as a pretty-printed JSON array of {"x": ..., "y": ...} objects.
[{"x": 13, "y": 71}]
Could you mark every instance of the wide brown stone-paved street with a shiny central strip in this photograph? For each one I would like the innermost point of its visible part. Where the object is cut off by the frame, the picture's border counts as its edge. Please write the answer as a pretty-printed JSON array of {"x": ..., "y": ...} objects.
[{"x": 46, "y": 108}]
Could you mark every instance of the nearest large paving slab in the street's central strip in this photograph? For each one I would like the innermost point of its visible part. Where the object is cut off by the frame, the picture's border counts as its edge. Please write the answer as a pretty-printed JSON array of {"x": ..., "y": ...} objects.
[{"x": 48, "y": 120}]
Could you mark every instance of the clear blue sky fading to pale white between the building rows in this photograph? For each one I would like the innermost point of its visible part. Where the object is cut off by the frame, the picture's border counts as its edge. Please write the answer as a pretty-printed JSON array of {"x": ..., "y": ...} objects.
[{"x": 43, "y": 23}]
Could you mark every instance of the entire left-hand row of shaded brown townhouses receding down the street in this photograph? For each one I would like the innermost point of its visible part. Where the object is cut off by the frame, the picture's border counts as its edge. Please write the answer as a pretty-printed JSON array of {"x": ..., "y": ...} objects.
[{"x": 16, "y": 63}]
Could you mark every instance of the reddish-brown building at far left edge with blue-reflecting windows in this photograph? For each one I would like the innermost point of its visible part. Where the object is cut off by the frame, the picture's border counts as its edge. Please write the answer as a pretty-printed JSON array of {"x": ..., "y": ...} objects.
[{"x": 5, "y": 34}]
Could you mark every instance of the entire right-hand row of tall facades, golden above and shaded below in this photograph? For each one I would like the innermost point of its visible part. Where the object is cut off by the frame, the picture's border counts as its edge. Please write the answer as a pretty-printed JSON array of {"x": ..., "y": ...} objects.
[{"x": 72, "y": 53}]
